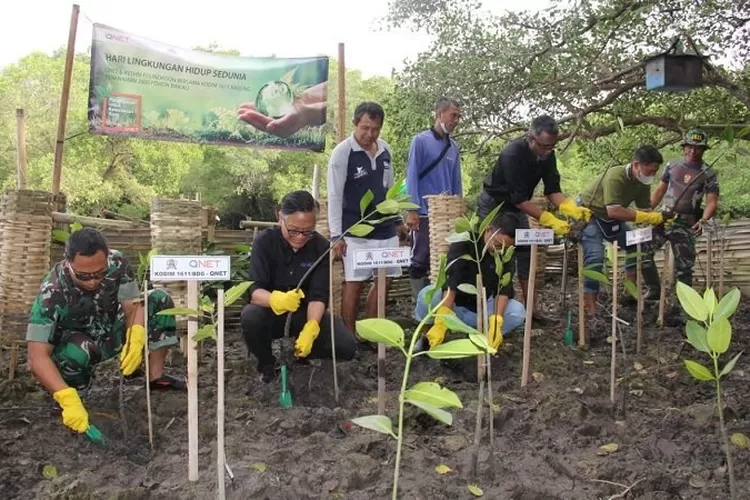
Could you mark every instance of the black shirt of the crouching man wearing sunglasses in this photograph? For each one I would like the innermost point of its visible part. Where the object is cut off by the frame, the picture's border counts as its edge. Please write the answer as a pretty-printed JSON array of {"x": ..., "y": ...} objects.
[{"x": 274, "y": 265}]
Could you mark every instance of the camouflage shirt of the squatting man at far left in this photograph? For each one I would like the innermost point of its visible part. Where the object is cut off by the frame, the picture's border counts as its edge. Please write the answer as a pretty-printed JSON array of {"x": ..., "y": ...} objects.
[{"x": 61, "y": 307}]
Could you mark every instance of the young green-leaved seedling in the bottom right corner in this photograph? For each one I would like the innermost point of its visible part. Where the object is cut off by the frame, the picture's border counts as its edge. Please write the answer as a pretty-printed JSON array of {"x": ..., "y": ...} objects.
[{"x": 710, "y": 332}]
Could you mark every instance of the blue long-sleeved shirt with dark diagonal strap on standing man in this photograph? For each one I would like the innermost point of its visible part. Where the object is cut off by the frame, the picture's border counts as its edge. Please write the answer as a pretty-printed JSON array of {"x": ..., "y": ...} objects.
[{"x": 445, "y": 177}]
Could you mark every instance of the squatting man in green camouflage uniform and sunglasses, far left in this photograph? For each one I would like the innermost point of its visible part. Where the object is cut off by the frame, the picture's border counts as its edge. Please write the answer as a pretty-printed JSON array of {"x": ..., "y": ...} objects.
[{"x": 88, "y": 310}]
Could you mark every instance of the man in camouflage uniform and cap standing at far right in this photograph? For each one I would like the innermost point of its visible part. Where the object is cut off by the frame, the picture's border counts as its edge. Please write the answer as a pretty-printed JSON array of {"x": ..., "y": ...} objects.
[{"x": 682, "y": 188}]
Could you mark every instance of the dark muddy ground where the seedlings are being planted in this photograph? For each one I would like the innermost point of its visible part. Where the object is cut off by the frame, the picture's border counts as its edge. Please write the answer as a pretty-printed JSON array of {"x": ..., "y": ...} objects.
[{"x": 547, "y": 435}]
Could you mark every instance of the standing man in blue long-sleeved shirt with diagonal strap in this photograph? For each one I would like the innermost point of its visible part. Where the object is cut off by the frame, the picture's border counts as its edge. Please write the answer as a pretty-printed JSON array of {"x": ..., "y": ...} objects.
[{"x": 434, "y": 167}]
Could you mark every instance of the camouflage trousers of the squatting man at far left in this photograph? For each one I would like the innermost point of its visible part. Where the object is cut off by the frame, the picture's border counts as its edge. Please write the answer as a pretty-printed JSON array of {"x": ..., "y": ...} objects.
[{"x": 78, "y": 353}]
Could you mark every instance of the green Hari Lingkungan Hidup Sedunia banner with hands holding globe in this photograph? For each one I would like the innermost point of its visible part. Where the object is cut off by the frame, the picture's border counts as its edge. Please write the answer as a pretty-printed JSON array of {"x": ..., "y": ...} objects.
[{"x": 150, "y": 90}]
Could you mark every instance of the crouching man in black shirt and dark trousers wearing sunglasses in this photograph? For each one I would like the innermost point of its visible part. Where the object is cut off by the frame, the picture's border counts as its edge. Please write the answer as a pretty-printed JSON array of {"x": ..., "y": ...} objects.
[{"x": 280, "y": 258}]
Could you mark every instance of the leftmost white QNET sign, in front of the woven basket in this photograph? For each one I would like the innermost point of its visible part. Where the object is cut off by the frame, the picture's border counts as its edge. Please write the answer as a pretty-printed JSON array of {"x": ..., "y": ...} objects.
[{"x": 190, "y": 267}]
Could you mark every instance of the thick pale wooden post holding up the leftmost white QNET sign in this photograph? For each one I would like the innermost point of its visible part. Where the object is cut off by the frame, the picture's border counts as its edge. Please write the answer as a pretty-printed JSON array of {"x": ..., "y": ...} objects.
[{"x": 192, "y": 362}]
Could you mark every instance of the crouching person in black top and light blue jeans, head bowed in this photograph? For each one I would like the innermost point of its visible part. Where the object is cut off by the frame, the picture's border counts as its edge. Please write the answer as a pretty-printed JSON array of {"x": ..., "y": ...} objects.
[{"x": 504, "y": 313}]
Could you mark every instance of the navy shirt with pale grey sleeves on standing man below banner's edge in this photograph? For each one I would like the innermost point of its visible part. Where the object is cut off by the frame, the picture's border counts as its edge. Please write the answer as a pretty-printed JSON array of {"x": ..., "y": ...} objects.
[{"x": 351, "y": 173}]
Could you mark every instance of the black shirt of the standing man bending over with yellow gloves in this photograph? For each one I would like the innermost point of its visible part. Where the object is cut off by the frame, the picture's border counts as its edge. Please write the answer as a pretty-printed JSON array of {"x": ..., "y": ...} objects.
[{"x": 516, "y": 174}]
